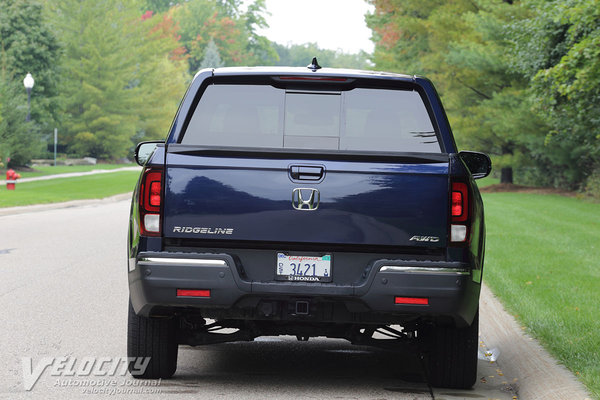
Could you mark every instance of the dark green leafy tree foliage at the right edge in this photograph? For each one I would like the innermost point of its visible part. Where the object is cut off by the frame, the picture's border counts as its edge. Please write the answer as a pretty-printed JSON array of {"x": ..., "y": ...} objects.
[{"x": 558, "y": 47}]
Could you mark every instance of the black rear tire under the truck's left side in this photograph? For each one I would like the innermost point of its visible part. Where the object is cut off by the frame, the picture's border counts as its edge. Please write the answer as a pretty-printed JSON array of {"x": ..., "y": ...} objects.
[{"x": 155, "y": 338}]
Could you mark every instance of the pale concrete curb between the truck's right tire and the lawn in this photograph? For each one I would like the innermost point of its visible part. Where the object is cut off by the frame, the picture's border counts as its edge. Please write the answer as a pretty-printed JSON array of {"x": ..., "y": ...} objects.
[{"x": 536, "y": 374}]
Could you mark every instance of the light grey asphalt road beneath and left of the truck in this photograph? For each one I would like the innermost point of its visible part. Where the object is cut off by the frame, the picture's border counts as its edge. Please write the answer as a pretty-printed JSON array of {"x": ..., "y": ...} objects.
[{"x": 63, "y": 293}]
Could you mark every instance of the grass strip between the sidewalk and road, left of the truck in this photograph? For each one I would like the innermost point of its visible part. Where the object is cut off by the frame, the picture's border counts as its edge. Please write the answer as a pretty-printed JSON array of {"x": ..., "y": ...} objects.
[{"x": 66, "y": 189}]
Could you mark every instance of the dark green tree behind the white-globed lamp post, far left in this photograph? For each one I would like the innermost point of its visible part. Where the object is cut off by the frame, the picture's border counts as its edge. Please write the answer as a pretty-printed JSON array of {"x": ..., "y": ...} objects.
[{"x": 27, "y": 44}]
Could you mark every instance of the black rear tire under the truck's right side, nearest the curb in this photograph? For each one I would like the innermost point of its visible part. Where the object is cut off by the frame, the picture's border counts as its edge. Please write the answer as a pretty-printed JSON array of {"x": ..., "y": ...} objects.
[{"x": 452, "y": 355}]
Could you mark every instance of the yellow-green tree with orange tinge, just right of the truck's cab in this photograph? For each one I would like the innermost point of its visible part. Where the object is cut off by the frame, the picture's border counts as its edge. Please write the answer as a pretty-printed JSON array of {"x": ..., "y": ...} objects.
[{"x": 464, "y": 46}]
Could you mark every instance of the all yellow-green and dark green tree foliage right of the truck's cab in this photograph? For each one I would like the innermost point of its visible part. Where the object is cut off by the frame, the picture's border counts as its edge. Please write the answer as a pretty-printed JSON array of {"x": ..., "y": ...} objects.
[{"x": 519, "y": 79}]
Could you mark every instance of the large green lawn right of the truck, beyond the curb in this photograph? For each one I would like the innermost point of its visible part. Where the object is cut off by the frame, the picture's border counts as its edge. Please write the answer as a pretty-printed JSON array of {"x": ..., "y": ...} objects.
[{"x": 543, "y": 262}]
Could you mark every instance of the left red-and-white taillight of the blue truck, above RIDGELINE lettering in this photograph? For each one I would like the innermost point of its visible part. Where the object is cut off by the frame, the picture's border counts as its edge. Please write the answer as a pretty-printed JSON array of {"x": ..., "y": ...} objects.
[{"x": 150, "y": 202}]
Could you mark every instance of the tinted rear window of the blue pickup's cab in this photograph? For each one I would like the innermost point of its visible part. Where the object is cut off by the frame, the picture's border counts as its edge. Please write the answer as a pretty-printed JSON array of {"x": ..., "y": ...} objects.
[{"x": 264, "y": 116}]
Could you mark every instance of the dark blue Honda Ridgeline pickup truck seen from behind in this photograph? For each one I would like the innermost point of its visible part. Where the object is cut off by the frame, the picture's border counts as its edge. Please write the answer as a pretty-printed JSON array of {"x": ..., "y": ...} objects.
[{"x": 308, "y": 202}]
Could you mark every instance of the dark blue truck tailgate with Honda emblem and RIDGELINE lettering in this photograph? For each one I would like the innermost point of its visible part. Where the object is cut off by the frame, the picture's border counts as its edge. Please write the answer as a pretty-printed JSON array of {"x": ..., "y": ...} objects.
[{"x": 242, "y": 197}]
